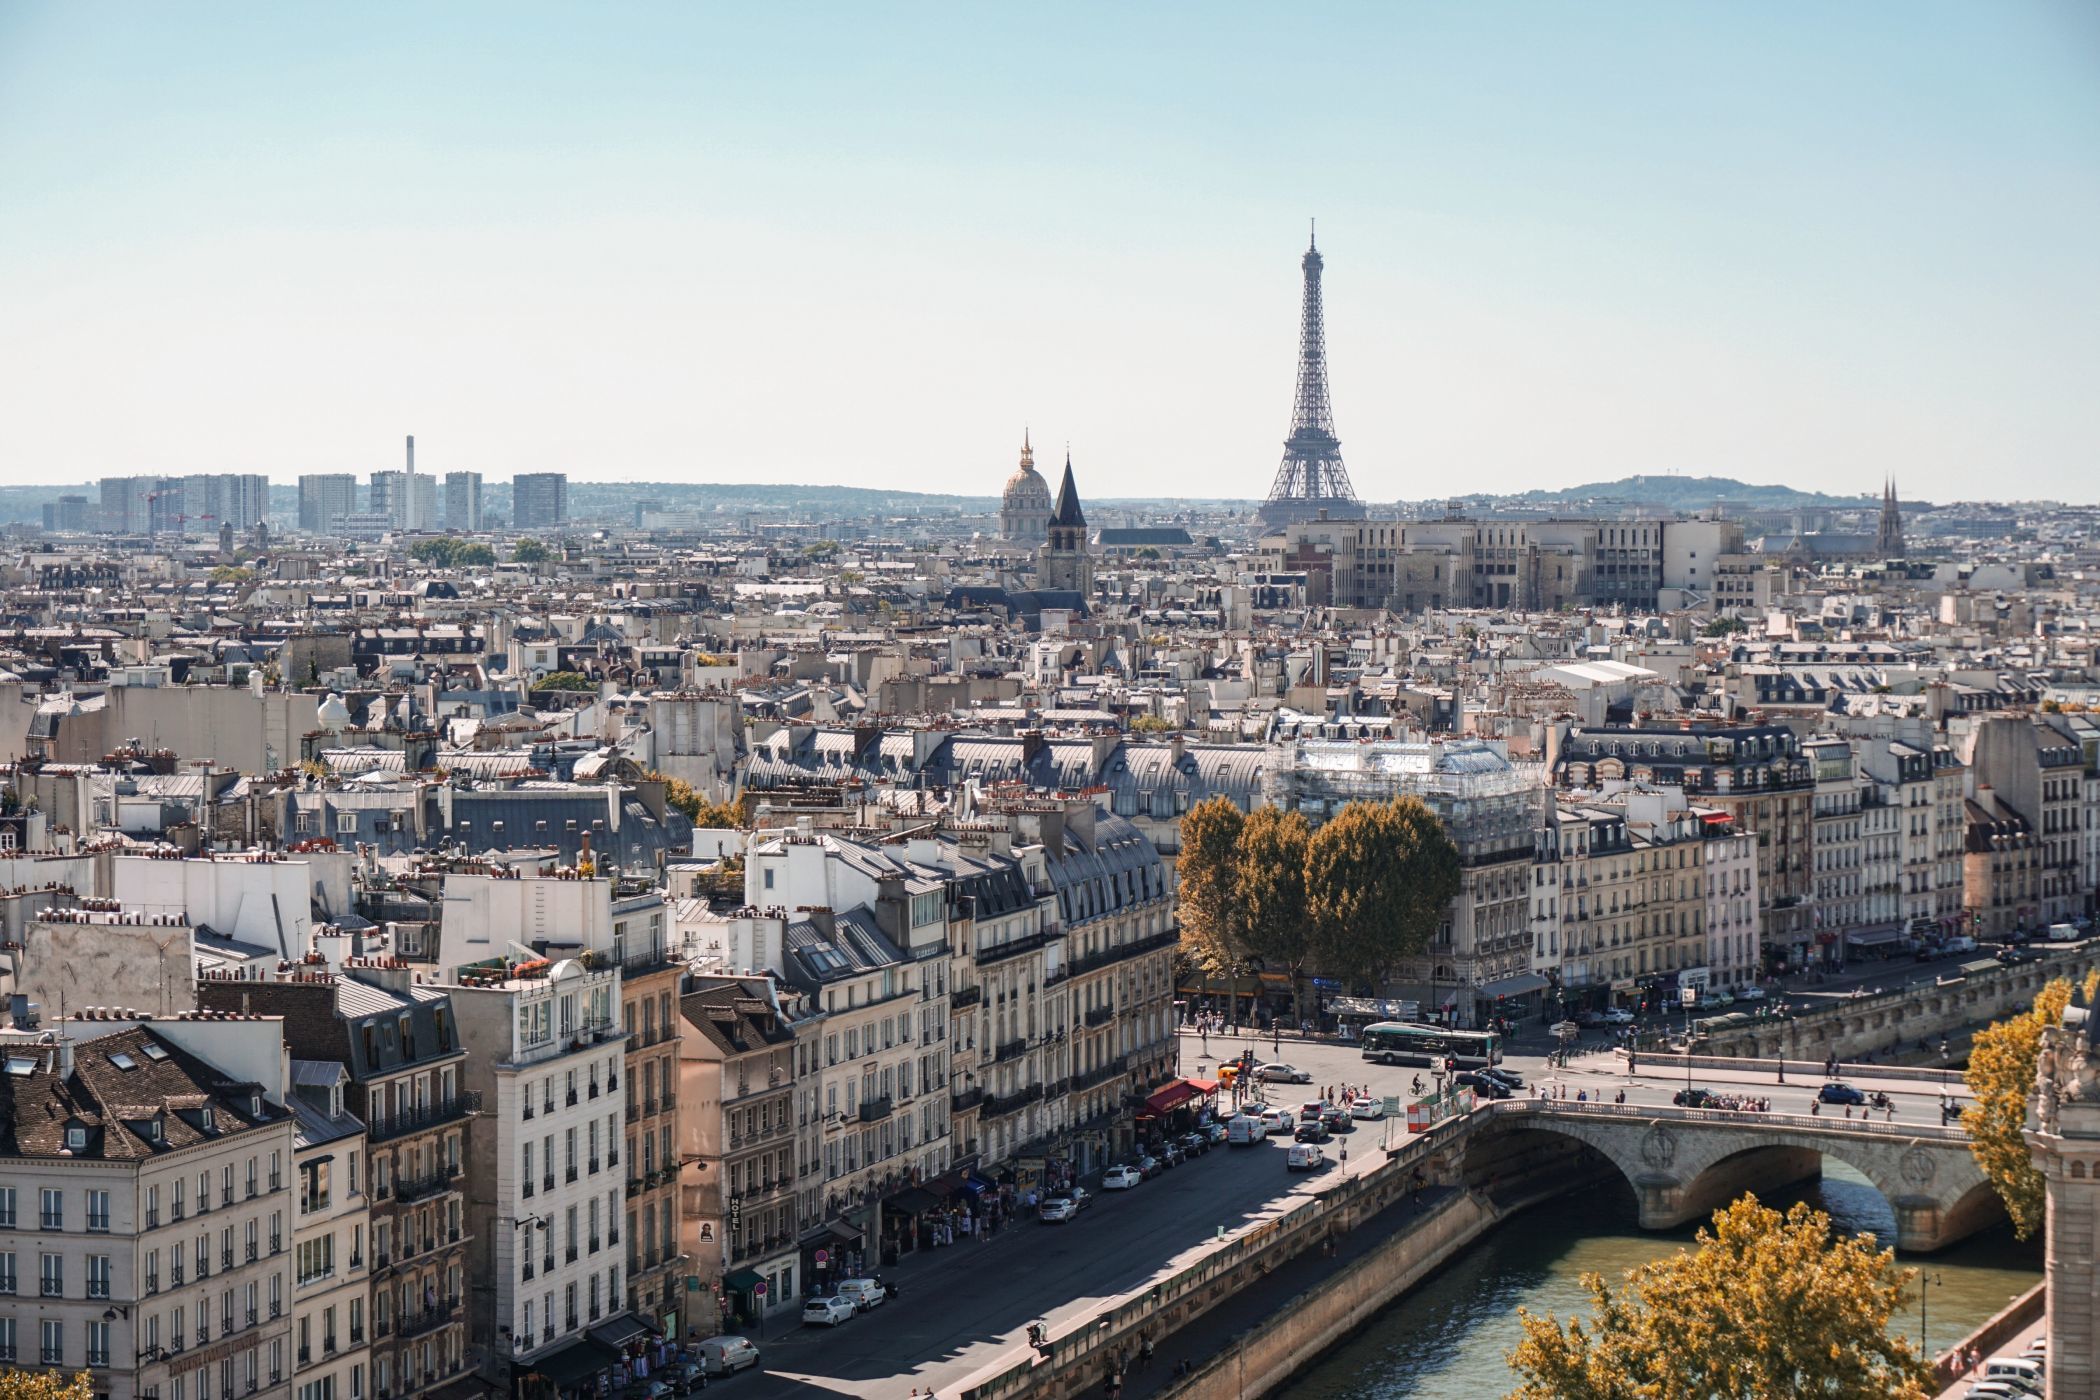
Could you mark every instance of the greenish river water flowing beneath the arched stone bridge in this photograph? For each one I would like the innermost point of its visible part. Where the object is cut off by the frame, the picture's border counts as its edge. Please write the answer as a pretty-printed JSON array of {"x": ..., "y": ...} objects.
[{"x": 1450, "y": 1338}]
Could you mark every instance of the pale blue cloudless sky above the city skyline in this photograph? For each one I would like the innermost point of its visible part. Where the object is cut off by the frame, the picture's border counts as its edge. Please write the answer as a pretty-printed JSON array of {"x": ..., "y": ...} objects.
[{"x": 866, "y": 245}]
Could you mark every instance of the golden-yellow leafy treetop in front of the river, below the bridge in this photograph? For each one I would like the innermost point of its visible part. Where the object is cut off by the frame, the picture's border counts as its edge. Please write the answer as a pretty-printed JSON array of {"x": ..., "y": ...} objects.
[{"x": 1763, "y": 1309}]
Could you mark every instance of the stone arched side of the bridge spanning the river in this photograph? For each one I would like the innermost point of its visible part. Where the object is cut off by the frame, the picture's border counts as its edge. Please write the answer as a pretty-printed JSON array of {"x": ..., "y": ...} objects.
[{"x": 1685, "y": 1164}]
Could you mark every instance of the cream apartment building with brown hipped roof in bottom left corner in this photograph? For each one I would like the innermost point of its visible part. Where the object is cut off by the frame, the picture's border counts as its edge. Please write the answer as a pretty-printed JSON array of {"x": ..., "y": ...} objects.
[{"x": 146, "y": 1206}]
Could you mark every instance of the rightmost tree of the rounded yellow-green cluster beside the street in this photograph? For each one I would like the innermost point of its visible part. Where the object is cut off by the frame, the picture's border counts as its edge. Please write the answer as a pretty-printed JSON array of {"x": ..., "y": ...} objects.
[{"x": 1379, "y": 881}]
